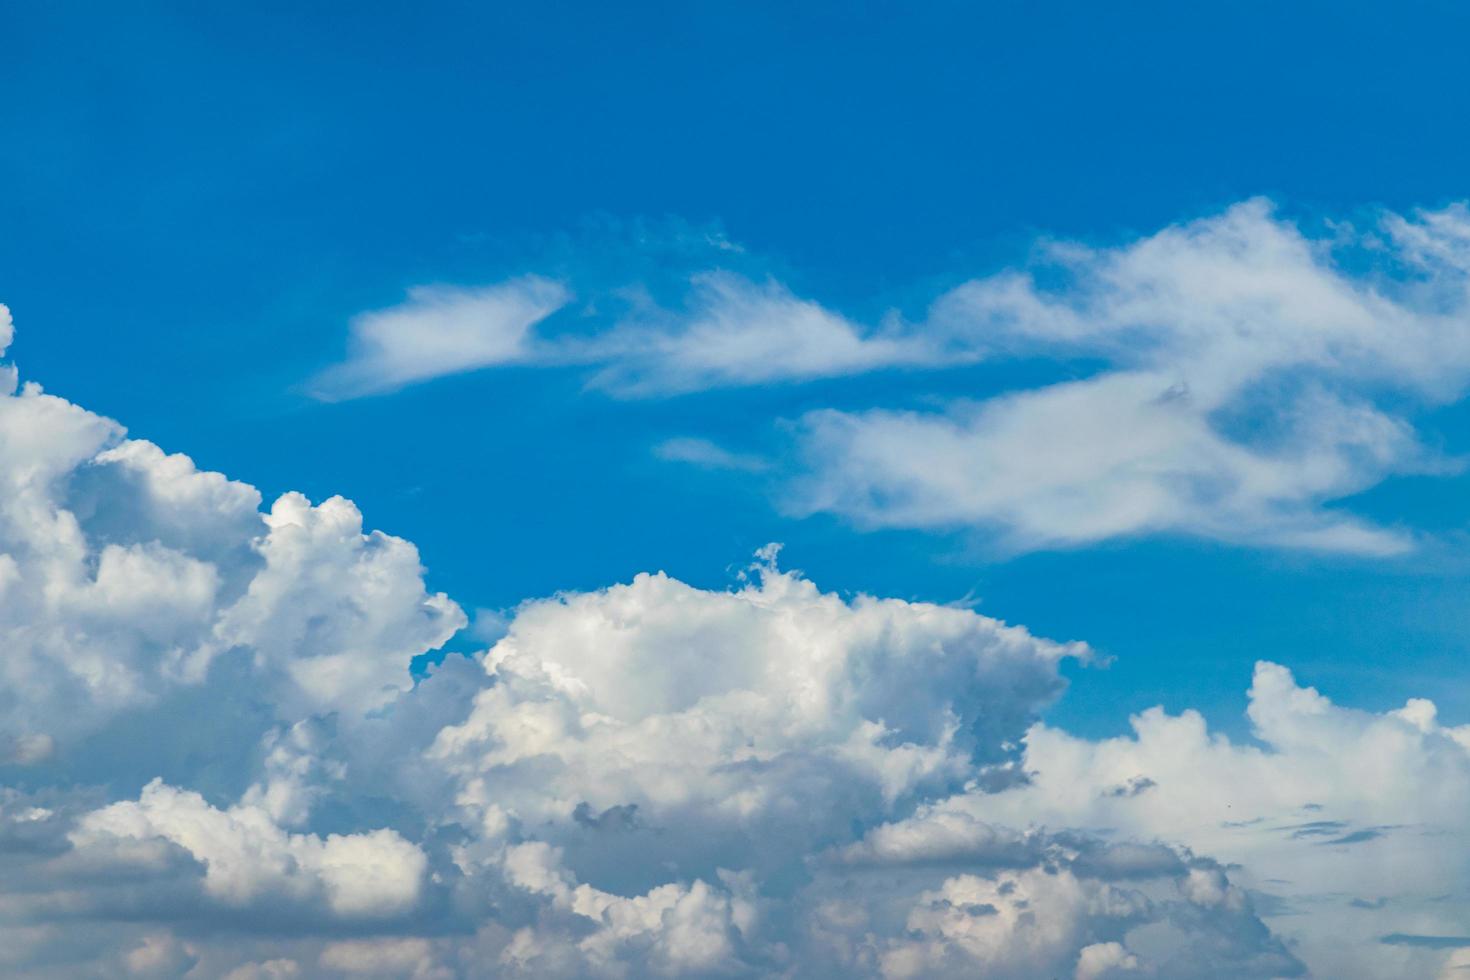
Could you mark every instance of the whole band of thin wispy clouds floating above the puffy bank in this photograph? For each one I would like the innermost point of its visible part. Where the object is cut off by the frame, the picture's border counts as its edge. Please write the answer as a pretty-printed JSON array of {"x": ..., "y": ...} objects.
[{"x": 1241, "y": 380}]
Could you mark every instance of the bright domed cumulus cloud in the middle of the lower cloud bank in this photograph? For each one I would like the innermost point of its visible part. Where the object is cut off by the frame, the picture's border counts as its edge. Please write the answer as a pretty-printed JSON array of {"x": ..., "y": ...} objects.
[{"x": 656, "y": 706}]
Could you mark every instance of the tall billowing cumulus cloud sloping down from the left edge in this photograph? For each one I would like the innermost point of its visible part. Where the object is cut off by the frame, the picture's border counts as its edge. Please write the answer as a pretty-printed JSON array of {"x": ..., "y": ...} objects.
[{"x": 127, "y": 577}]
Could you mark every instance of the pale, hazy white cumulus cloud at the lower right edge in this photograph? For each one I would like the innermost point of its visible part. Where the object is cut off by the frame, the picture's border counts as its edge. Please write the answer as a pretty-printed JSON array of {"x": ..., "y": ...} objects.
[{"x": 1349, "y": 824}]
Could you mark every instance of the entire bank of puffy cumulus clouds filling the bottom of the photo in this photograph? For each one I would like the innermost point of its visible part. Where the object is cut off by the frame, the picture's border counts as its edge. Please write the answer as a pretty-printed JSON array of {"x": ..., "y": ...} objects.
[{"x": 218, "y": 765}]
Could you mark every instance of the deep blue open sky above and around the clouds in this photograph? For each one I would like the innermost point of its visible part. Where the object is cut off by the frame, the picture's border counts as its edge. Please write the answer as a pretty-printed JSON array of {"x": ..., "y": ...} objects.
[{"x": 202, "y": 201}]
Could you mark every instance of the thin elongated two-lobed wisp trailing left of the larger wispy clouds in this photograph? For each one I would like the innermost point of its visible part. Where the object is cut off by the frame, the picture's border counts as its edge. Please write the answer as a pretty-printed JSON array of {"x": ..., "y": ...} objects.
[{"x": 731, "y": 333}]
